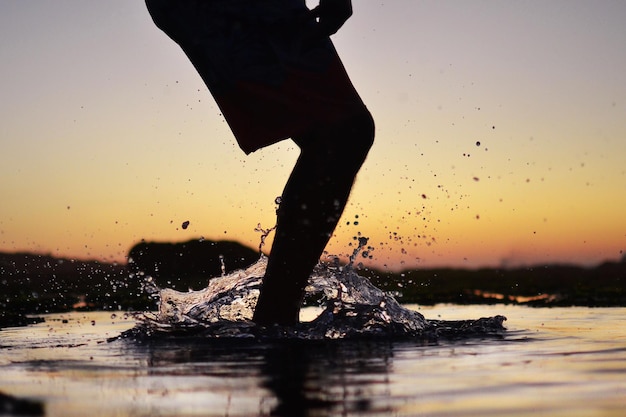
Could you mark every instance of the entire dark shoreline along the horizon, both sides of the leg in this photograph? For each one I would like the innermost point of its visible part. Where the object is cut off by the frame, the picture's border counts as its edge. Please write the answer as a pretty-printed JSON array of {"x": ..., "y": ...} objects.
[{"x": 37, "y": 284}]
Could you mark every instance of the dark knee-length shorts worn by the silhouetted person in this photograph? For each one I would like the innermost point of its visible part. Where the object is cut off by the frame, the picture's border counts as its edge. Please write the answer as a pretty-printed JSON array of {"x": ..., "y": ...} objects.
[{"x": 270, "y": 74}]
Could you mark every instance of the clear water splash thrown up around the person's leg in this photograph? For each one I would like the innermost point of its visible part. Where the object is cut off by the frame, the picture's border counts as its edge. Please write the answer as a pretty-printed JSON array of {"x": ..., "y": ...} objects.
[{"x": 352, "y": 308}]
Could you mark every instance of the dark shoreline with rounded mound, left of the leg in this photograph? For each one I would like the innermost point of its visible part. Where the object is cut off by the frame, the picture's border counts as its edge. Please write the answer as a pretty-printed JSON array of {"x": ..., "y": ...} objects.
[{"x": 38, "y": 284}]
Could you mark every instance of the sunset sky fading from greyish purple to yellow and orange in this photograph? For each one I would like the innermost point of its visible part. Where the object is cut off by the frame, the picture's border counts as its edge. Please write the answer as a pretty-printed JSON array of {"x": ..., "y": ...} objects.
[{"x": 501, "y": 134}]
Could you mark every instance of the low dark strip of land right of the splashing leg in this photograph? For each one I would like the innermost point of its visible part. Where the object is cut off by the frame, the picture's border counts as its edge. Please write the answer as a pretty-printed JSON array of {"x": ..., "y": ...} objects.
[{"x": 551, "y": 285}]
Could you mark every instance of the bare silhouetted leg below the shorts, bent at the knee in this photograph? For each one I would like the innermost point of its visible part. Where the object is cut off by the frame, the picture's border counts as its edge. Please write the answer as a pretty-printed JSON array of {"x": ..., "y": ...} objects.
[{"x": 312, "y": 203}]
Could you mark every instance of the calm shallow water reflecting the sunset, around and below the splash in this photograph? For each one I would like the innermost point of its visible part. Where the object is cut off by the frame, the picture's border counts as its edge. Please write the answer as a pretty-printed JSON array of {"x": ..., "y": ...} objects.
[{"x": 556, "y": 362}]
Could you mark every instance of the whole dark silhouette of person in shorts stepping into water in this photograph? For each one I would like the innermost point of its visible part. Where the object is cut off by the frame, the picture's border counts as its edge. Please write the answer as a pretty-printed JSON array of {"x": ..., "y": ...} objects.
[{"x": 275, "y": 74}]
